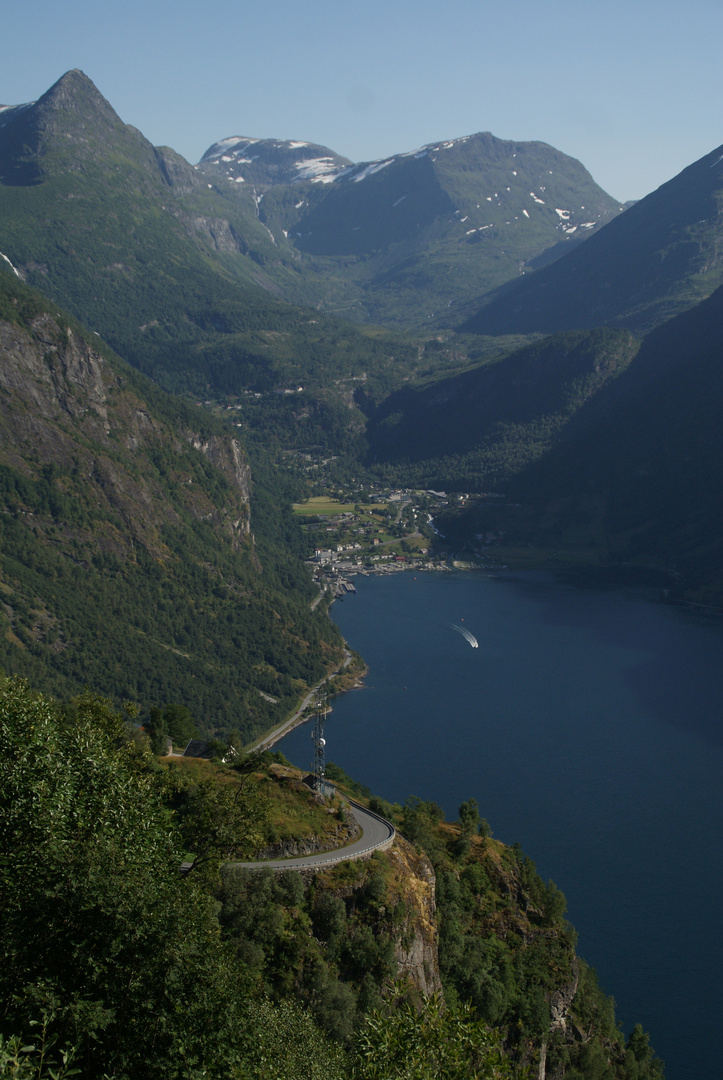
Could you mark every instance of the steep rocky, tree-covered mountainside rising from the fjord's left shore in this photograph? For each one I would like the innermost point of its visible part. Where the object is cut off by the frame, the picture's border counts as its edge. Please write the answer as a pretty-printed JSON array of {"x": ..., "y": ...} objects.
[{"x": 139, "y": 553}]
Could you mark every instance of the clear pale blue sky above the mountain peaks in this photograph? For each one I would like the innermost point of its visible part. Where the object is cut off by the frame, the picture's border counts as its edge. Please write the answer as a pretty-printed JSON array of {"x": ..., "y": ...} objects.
[{"x": 632, "y": 88}]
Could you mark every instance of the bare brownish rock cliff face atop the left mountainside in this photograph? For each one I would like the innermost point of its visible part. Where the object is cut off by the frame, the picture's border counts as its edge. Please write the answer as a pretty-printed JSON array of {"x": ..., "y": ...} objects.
[{"x": 64, "y": 408}]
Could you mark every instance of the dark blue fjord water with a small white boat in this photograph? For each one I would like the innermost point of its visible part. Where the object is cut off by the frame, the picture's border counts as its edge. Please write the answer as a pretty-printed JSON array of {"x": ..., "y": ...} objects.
[{"x": 590, "y": 727}]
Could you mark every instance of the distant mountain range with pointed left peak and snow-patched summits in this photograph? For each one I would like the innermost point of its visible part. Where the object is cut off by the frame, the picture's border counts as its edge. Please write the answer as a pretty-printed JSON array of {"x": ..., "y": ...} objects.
[{"x": 152, "y": 251}]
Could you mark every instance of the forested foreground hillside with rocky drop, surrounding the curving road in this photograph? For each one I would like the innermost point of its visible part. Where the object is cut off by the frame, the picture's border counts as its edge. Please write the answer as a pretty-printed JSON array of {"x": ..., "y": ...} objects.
[{"x": 116, "y": 965}]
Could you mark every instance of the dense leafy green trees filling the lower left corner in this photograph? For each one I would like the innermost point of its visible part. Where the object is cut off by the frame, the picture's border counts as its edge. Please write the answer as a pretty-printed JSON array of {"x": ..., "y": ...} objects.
[{"x": 99, "y": 933}]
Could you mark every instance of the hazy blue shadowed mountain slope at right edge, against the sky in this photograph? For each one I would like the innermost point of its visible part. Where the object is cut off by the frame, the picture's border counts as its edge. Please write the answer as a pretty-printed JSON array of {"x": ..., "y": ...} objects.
[{"x": 661, "y": 258}]
